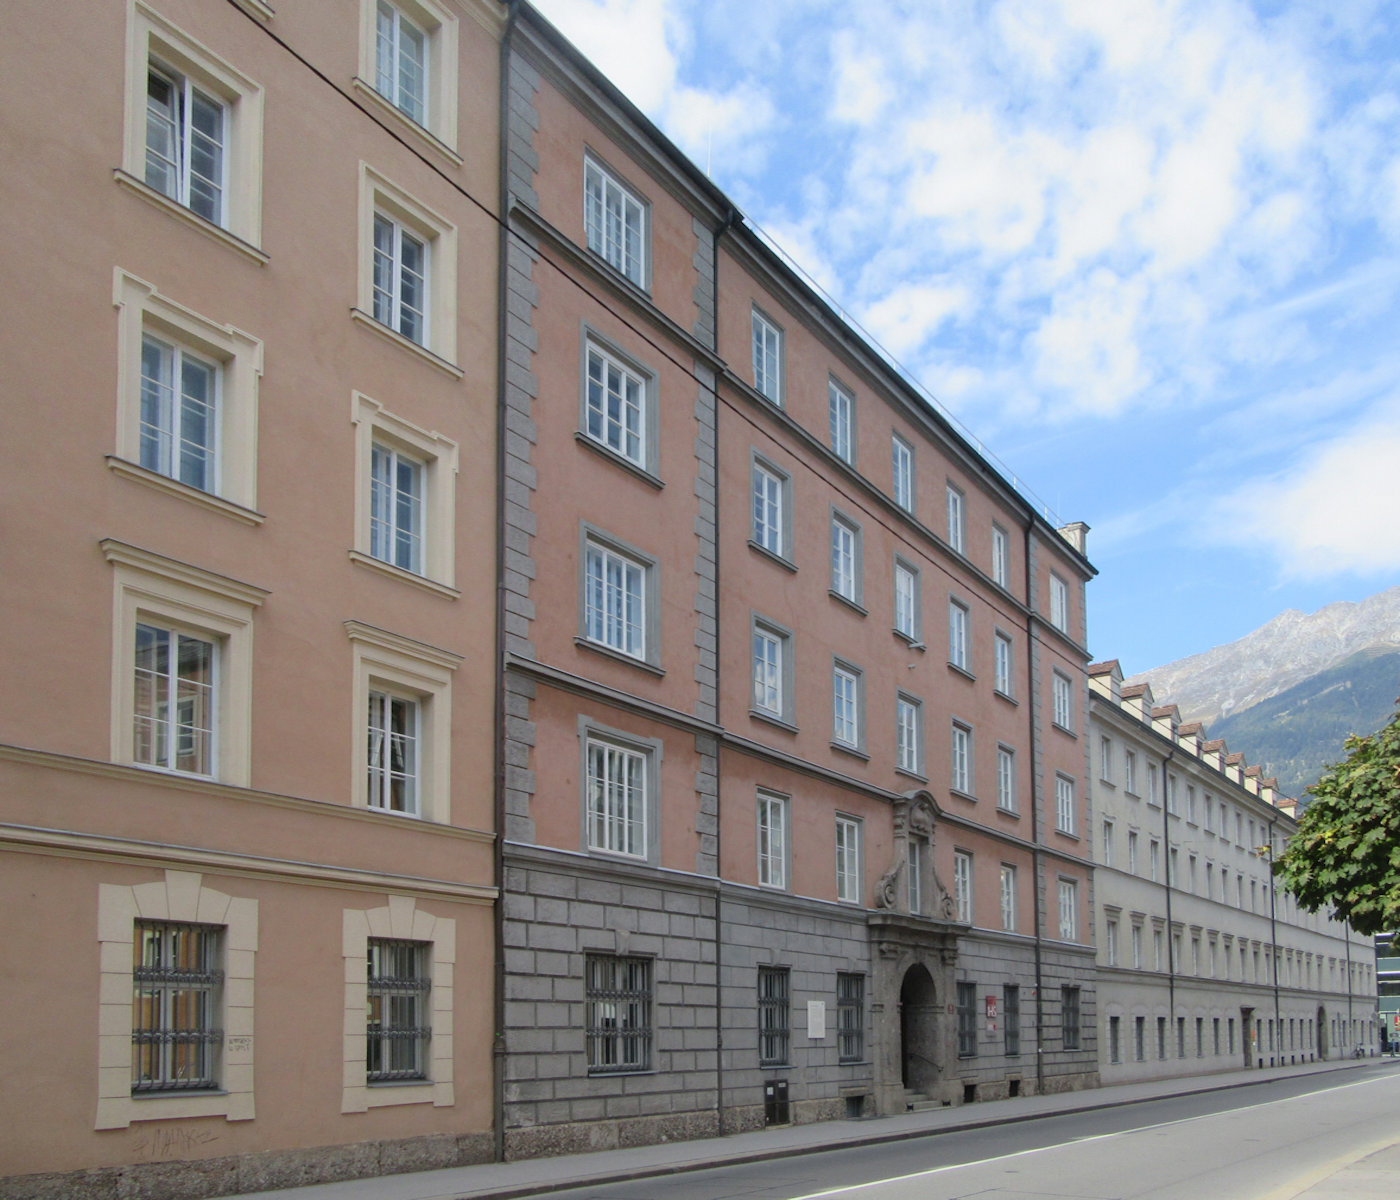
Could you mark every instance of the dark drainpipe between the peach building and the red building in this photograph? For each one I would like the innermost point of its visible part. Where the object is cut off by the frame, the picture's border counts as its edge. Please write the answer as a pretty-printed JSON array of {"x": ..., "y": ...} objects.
[{"x": 499, "y": 775}]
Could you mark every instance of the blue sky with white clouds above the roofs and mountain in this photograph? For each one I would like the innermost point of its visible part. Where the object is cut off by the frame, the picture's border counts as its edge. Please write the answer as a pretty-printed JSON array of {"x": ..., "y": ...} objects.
[{"x": 1147, "y": 254}]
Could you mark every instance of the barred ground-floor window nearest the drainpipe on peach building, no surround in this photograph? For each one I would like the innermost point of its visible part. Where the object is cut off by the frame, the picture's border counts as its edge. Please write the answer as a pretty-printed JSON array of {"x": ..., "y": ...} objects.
[{"x": 397, "y": 1020}]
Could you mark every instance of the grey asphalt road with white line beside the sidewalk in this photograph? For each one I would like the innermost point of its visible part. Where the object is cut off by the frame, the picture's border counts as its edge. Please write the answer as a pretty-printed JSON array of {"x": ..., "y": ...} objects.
[{"x": 1258, "y": 1143}]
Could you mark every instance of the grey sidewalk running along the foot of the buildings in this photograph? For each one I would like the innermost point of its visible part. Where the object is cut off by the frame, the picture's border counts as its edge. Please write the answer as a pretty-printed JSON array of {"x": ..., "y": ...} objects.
[{"x": 499, "y": 1181}]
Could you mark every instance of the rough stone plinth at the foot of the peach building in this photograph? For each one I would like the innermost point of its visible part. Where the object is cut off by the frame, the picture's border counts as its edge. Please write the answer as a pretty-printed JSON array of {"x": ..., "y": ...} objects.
[{"x": 195, "y": 1180}]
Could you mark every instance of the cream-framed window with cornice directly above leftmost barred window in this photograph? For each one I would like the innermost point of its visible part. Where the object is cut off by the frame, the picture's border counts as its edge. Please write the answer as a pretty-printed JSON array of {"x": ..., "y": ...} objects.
[{"x": 183, "y": 666}]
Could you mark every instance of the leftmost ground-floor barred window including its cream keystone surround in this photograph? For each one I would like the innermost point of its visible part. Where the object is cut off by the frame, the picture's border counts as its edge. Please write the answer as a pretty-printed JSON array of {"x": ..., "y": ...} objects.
[{"x": 170, "y": 1042}]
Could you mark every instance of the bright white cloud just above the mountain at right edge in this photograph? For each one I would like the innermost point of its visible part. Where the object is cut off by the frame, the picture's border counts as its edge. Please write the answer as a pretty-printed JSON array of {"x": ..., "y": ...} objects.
[{"x": 1332, "y": 513}]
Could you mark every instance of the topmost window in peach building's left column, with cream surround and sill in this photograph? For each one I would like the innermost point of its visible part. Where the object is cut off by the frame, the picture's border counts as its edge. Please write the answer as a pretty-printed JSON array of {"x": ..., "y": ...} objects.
[{"x": 192, "y": 141}]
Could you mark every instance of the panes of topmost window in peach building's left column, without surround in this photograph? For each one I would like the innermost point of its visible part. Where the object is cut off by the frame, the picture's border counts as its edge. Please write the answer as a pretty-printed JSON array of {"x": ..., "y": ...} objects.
[{"x": 187, "y": 144}]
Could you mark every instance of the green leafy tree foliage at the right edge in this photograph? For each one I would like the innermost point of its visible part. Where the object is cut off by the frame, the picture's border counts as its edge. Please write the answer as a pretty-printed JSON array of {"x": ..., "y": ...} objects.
[{"x": 1346, "y": 855}]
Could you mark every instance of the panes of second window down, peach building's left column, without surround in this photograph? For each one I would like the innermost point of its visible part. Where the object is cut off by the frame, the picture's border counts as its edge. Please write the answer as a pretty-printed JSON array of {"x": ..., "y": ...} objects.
[{"x": 180, "y": 414}]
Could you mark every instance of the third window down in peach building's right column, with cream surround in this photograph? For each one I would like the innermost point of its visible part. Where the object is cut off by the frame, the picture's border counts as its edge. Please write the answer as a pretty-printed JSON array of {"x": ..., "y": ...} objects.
[{"x": 405, "y": 498}]
